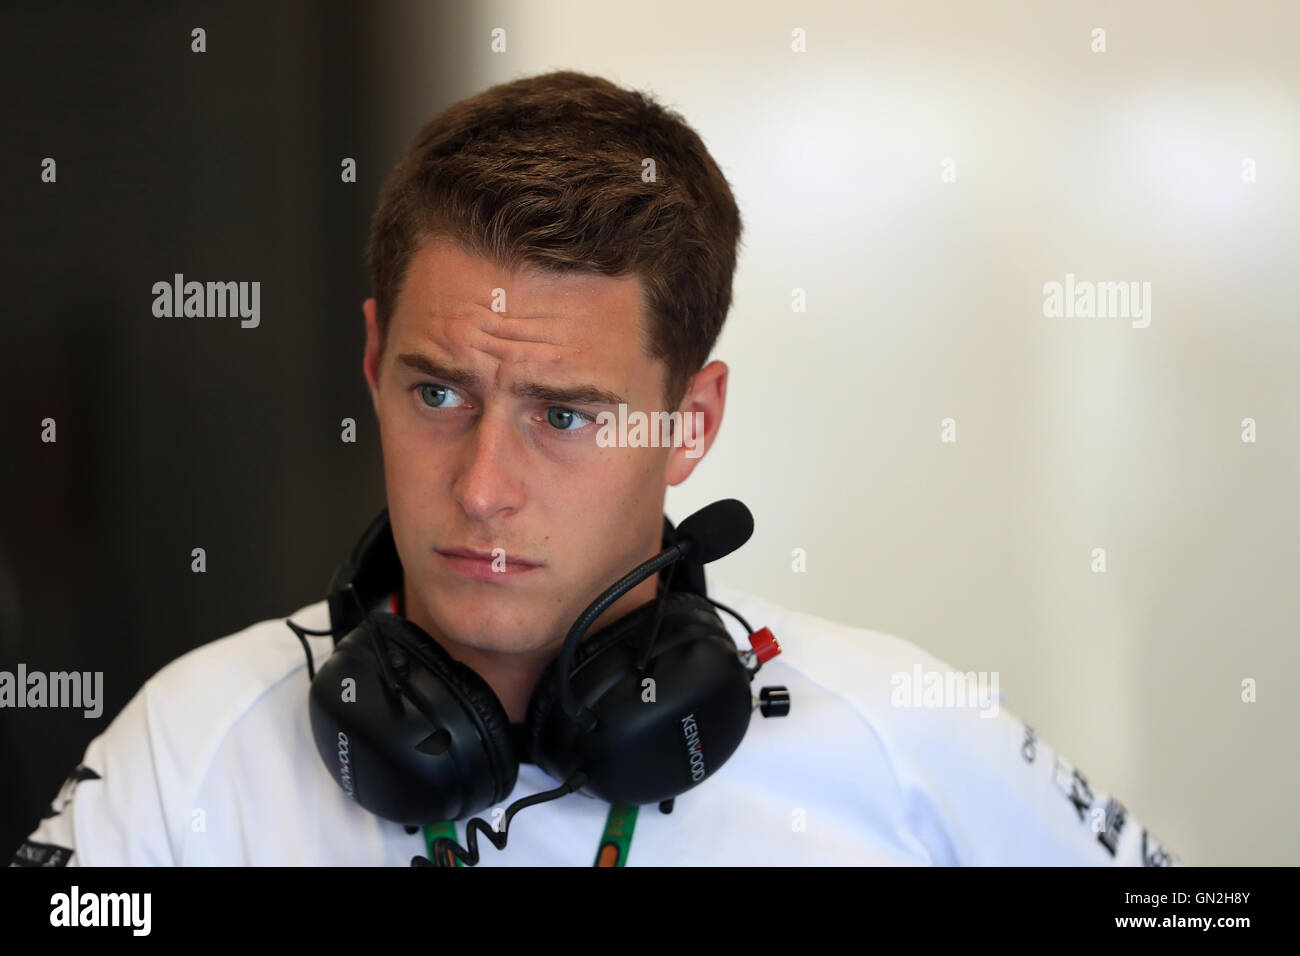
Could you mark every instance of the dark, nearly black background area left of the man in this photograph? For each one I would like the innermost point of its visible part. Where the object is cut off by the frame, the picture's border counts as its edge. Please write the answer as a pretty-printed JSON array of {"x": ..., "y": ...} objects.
[{"x": 175, "y": 434}]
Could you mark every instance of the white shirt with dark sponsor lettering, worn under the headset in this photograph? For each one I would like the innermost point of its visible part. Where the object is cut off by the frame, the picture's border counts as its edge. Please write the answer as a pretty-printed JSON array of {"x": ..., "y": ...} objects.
[{"x": 214, "y": 763}]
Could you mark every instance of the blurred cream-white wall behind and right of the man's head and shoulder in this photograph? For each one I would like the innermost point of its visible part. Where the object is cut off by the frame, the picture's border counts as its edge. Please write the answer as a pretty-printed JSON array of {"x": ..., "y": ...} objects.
[{"x": 925, "y": 301}]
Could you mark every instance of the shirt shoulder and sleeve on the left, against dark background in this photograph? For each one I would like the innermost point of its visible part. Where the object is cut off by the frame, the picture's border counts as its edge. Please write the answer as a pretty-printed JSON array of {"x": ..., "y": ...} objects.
[{"x": 132, "y": 798}]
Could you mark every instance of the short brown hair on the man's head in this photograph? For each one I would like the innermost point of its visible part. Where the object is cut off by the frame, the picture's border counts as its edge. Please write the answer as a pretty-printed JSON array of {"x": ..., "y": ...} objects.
[{"x": 548, "y": 172}]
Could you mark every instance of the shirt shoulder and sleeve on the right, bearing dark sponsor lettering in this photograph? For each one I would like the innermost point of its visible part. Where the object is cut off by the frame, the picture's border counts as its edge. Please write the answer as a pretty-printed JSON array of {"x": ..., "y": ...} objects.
[{"x": 980, "y": 786}]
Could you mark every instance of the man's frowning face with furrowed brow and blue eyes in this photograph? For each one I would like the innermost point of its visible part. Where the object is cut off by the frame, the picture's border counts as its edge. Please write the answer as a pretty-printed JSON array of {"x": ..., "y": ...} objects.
[{"x": 478, "y": 457}]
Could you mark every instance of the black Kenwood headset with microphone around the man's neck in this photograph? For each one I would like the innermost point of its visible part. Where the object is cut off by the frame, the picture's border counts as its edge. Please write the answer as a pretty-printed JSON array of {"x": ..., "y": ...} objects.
[{"x": 417, "y": 737}]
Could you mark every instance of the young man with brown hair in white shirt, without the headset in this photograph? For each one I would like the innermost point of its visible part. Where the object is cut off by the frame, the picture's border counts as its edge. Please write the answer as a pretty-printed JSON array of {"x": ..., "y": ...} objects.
[{"x": 548, "y": 252}]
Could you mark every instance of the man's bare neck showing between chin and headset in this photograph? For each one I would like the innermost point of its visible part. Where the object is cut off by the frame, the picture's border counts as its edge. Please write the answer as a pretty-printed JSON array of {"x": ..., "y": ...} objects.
[{"x": 513, "y": 677}]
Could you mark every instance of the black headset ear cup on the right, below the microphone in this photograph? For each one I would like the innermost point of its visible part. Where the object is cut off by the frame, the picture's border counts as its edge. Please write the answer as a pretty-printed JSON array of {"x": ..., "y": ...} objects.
[{"x": 647, "y": 749}]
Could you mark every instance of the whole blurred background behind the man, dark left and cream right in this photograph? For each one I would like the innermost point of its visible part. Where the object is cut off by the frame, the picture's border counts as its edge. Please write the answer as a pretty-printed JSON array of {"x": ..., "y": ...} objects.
[{"x": 916, "y": 176}]
